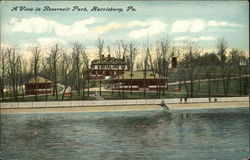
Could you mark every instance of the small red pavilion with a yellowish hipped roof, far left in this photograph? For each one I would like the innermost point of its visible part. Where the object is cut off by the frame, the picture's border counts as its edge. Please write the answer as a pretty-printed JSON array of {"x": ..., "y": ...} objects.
[{"x": 40, "y": 86}]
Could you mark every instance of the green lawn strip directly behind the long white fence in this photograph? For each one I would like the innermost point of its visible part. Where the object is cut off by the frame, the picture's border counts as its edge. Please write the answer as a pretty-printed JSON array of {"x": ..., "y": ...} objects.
[{"x": 200, "y": 90}]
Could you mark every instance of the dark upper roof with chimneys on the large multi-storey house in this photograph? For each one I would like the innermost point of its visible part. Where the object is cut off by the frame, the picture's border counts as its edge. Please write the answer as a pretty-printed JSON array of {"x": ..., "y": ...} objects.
[{"x": 108, "y": 60}]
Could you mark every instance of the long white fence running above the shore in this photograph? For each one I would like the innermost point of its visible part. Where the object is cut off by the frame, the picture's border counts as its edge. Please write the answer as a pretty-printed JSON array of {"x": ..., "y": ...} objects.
[{"x": 53, "y": 104}]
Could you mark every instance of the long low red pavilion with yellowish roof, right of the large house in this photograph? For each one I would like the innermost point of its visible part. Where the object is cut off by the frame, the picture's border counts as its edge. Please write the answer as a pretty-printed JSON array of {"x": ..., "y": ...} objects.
[{"x": 139, "y": 81}]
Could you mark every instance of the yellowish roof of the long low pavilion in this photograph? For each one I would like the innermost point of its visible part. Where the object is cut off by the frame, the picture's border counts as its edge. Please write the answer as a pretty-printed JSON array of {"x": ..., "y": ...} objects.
[{"x": 138, "y": 75}]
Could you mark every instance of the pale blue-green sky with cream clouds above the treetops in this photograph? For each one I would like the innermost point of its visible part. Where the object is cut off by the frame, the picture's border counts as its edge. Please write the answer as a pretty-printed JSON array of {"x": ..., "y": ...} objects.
[{"x": 202, "y": 22}]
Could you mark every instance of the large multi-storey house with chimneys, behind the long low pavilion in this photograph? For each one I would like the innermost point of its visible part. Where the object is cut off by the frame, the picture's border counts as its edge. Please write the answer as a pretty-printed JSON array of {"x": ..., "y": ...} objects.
[{"x": 107, "y": 67}]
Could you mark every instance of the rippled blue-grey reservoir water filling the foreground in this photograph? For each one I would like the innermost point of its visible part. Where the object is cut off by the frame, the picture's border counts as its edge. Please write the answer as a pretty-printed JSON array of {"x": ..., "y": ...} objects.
[{"x": 215, "y": 134}]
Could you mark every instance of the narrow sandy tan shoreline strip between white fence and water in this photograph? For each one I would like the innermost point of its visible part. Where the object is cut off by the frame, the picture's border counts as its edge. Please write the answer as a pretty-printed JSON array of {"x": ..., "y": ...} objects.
[{"x": 181, "y": 106}]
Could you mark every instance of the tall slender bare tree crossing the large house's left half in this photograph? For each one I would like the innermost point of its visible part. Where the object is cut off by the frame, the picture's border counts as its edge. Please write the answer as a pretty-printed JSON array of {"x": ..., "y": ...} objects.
[{"x": 100, "y": 46}]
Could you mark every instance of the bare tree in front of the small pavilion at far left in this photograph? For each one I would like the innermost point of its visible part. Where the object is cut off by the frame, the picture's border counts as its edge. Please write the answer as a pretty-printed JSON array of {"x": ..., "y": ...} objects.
[{"x": 35, "y": 64}]
